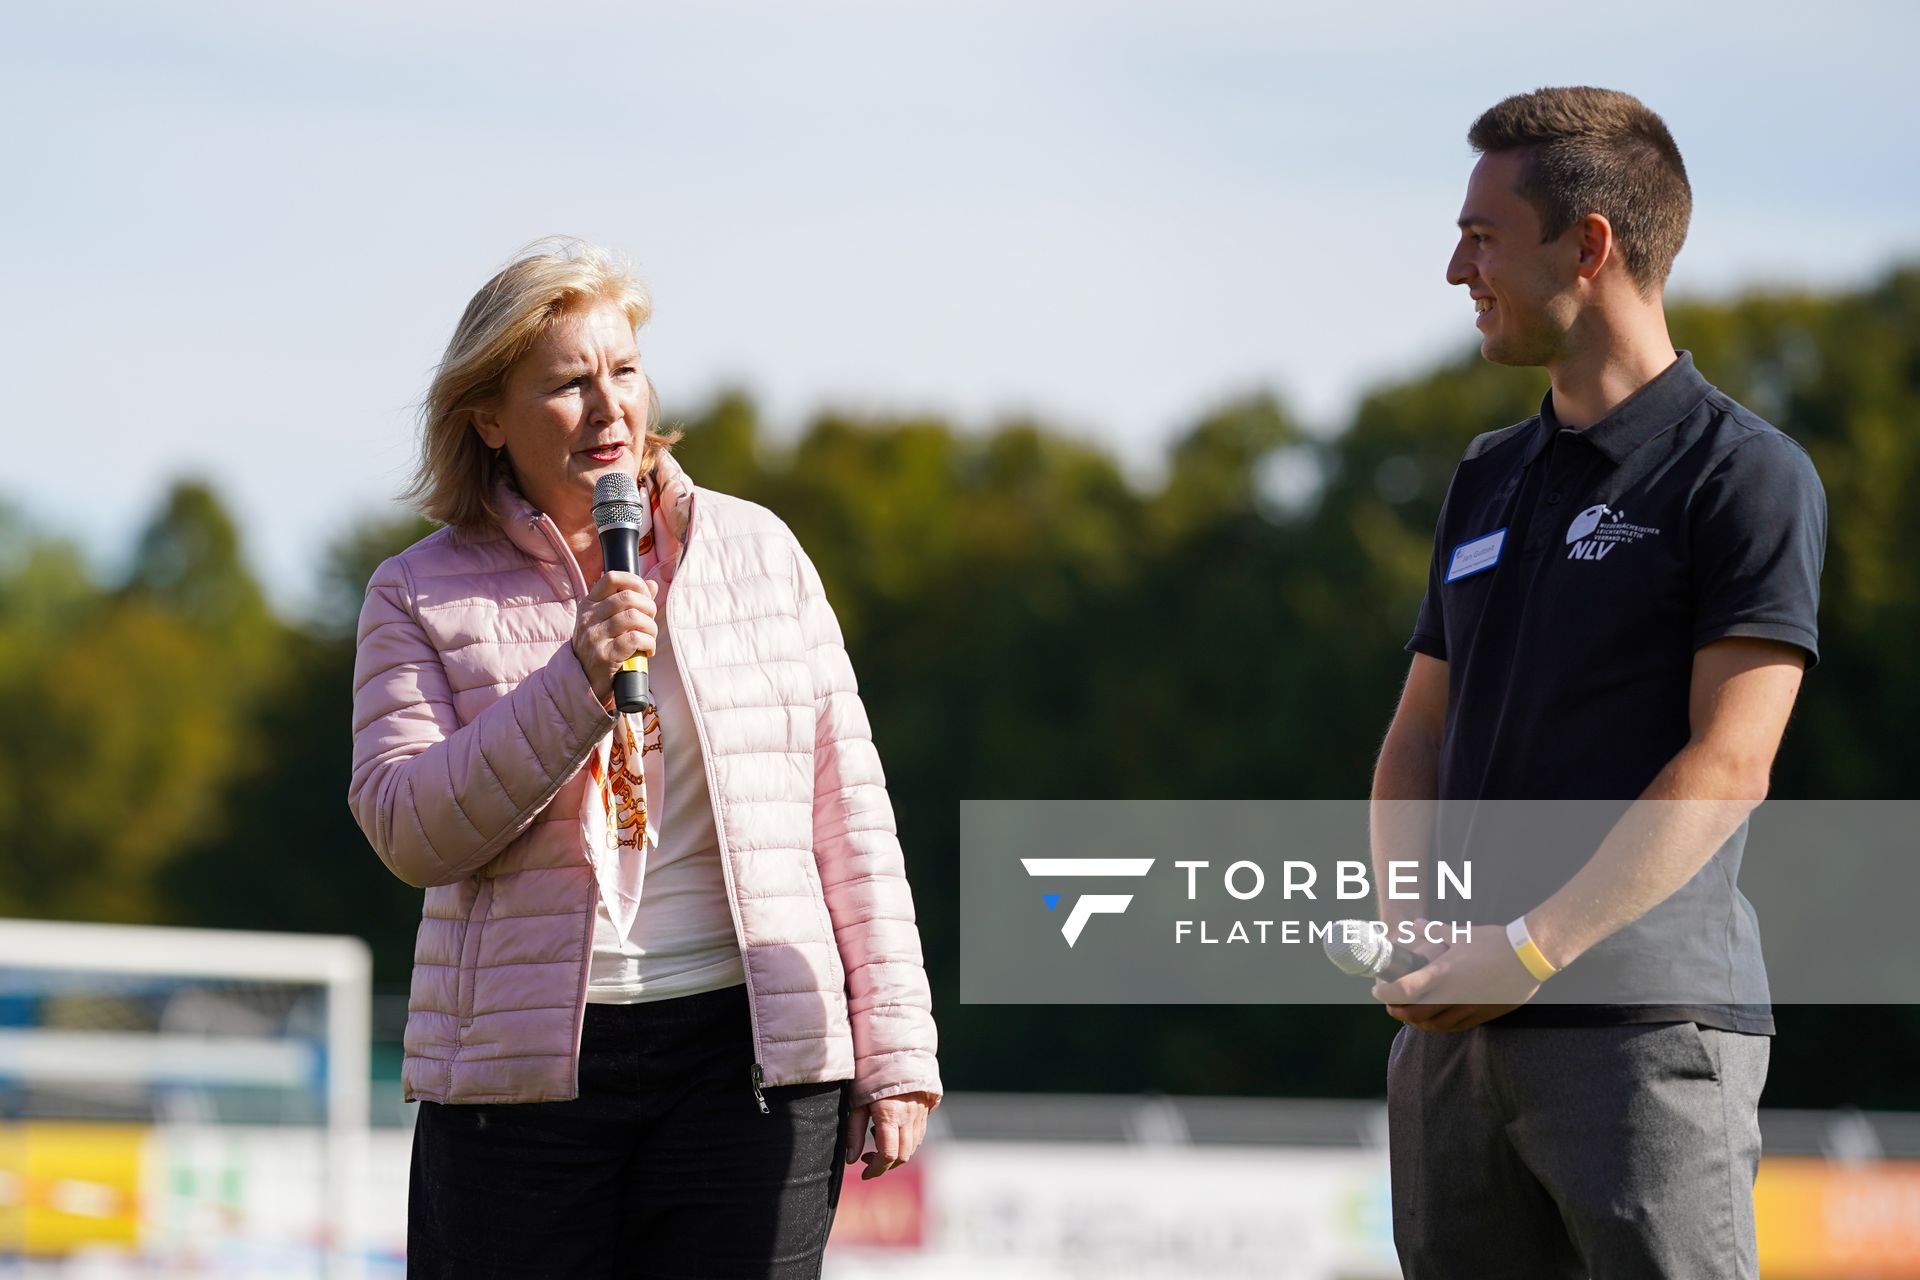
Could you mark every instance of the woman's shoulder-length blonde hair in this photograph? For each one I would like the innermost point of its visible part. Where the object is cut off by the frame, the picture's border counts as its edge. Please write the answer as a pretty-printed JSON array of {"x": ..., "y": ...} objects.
[{"x": 521, "y": 304}]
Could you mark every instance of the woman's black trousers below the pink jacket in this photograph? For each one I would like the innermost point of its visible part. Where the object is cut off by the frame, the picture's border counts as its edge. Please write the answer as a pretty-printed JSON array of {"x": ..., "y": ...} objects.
[{"x": 661, "y": 1168}]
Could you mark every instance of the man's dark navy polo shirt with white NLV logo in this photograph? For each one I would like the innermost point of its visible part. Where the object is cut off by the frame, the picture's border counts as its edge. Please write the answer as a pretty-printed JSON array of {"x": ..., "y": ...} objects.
[{"x": 1575, "y": 575}]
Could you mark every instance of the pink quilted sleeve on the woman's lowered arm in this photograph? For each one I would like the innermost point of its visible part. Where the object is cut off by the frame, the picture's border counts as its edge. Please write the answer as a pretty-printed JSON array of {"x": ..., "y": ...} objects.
[{"x": 865, "y": 876}]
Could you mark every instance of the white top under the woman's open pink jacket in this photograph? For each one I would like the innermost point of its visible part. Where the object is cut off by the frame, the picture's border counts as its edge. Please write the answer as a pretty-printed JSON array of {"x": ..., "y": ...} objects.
[{"x": 683, "y": 941}]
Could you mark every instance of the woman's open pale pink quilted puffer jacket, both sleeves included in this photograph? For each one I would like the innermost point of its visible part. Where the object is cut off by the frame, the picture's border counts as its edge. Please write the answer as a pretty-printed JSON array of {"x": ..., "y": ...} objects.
[{"x": 471, "y": 724}]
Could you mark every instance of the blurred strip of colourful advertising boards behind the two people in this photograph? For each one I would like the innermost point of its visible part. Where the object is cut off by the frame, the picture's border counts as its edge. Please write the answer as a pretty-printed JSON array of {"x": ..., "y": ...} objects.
[{"x": 241, "y": 1202}]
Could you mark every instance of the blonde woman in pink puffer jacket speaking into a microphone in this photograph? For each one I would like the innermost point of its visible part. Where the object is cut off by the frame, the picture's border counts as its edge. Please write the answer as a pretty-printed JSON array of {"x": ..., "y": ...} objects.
[{"x": 667, "y": 972}]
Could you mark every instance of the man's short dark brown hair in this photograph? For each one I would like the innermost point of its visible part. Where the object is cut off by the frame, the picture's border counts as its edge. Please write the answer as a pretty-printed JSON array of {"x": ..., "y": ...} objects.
[{"x": 1598, "y": 151}]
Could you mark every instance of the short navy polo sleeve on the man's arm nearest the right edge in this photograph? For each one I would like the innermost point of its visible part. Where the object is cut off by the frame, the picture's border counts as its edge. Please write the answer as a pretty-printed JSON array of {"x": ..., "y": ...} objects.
[{"x": 1760, "y": 540}]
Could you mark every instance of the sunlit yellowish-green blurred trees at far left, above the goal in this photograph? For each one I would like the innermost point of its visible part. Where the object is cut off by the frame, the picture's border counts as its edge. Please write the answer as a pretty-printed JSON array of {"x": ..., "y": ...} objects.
[{"x": 130, "y": 709}]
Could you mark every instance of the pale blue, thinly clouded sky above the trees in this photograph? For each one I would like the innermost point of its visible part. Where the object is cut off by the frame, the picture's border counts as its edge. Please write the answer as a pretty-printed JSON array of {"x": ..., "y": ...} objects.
[{"x": 243, "y": 233}]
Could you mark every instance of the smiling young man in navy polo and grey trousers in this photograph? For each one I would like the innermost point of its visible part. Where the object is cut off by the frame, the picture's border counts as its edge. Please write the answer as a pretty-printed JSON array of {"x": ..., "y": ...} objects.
[{"x": 1621, "y": 607}]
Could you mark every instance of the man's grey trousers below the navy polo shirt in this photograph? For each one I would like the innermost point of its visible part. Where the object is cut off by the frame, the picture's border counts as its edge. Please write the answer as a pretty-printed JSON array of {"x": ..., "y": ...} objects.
[{"x": 1575, "y": 1152}]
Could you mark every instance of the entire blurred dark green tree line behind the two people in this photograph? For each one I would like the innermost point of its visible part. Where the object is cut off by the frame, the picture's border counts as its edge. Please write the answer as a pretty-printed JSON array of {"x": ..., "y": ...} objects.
[{"x": 1024, "y": 625}]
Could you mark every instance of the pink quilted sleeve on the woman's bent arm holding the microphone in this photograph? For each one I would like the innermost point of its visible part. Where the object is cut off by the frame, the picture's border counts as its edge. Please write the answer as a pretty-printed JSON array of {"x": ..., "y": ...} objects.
[{"x": 439, "y": 799}]
